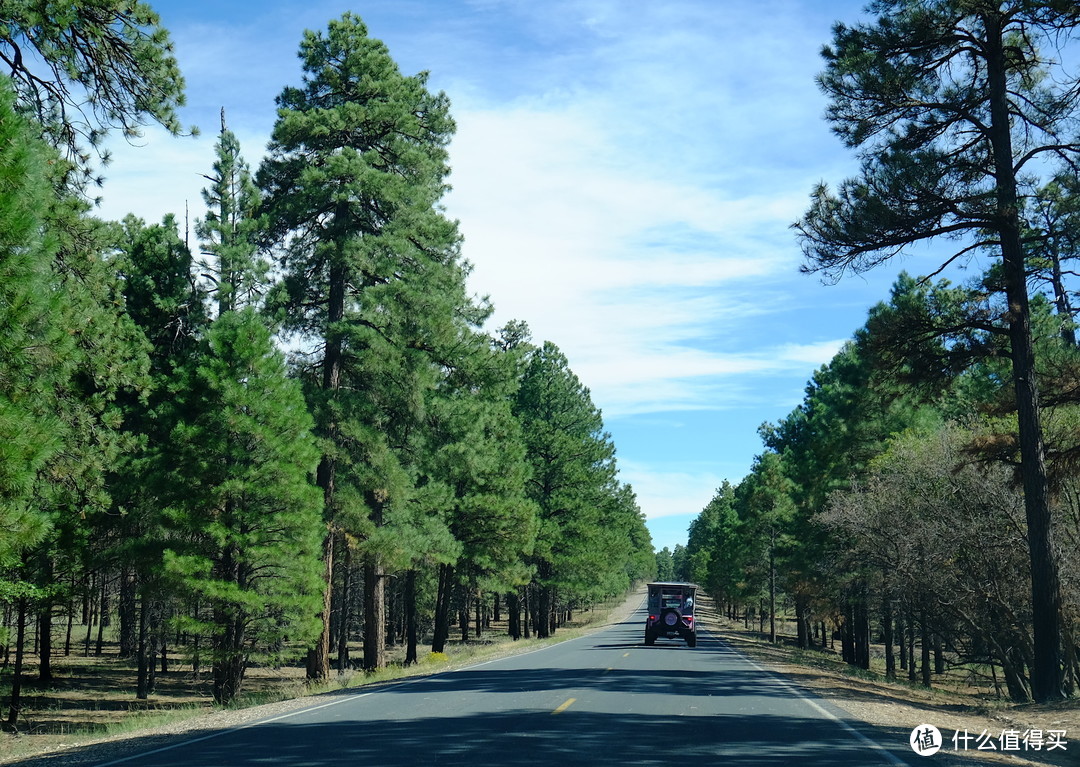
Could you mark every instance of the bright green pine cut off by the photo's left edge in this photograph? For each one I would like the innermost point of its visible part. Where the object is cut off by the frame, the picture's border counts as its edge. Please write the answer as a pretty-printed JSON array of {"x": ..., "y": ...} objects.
[{"x": 69, "y": 352}]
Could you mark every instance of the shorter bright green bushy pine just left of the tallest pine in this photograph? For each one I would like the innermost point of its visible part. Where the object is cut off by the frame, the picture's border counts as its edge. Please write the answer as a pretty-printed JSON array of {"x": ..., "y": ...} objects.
[{"x": 244, "y": 515}]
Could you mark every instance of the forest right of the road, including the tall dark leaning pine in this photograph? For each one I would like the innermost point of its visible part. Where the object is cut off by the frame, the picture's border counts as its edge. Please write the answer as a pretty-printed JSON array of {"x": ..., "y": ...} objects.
[{"x": 924, "y": 496}]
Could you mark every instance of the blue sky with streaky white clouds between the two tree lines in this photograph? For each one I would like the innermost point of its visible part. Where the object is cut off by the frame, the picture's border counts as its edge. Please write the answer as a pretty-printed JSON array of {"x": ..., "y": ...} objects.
[{"x": 625, "y": 173}]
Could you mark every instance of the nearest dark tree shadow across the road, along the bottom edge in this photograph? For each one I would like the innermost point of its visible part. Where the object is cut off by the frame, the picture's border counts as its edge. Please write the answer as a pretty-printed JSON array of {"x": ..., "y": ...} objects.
[{"x": 517, "y": 738}]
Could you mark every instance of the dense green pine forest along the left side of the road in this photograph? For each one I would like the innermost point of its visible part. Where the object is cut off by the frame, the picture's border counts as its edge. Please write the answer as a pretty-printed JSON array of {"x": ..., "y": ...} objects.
[{"x": 287, "y": 432}]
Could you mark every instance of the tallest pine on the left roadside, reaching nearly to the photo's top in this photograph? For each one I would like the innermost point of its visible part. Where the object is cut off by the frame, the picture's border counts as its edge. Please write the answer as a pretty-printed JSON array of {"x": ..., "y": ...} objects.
[{"x": 356, "y": 172}]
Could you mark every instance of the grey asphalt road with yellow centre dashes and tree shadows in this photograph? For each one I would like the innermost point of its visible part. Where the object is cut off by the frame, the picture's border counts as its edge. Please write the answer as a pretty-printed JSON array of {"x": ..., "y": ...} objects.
[{"x": 603, "y": 699}]
